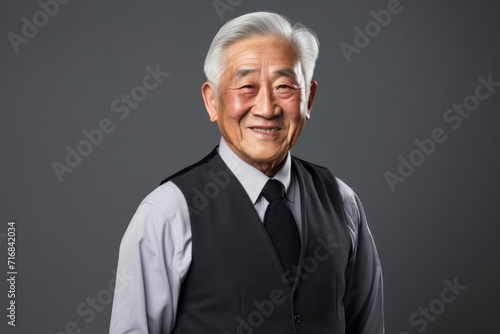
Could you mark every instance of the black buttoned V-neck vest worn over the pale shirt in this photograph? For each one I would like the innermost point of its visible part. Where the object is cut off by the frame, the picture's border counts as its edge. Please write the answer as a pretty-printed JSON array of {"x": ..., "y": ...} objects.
[{"x": 235, "y": 283}]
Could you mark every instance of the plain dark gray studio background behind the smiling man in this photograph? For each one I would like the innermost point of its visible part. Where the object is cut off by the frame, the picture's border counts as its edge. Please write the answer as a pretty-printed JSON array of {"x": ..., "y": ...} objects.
[{"x": 441, "y": 223}]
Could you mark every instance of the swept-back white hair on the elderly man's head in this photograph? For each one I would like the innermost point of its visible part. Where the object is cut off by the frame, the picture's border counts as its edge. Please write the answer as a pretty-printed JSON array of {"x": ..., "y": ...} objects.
[{"x": 303, "y": 41}]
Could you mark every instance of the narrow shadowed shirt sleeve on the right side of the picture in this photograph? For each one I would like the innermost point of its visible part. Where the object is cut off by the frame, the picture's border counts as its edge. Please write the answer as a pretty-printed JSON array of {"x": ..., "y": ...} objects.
[{"x": 363, "y": 301}]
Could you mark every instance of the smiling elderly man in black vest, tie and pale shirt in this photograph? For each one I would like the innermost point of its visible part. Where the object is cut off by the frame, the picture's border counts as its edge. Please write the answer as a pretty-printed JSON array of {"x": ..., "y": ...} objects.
[{"x": 251, "y": 239}]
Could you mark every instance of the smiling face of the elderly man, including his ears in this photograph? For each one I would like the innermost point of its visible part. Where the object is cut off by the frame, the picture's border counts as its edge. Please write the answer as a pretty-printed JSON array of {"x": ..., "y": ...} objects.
[{"x": 261, "y": 110}]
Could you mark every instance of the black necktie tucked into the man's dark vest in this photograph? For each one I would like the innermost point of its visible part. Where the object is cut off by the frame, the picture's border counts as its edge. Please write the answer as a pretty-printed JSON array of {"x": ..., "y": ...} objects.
[{"x": 280, "y": 225}]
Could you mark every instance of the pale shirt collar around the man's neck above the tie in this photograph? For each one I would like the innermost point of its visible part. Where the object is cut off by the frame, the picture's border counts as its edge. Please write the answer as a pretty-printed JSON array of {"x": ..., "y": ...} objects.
[{"x": 252, "y": 179}]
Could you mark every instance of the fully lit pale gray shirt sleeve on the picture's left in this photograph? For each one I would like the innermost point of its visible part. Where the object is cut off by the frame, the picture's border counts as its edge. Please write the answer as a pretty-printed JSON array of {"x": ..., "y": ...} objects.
[{"x": 155, "y": 254}]
